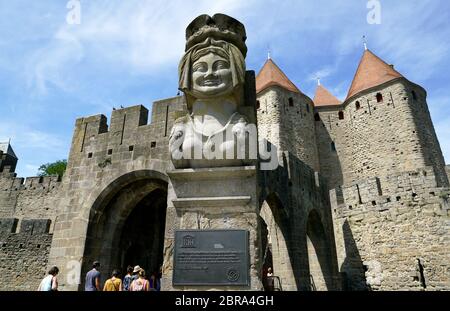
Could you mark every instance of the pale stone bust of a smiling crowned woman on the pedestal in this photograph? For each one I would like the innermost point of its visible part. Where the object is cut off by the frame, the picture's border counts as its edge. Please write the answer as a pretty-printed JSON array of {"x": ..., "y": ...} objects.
[{"x": 217, "y": 130}]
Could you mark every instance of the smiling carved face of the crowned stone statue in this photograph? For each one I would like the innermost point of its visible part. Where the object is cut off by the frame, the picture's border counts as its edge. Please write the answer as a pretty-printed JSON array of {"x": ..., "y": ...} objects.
[{"x": 211, "y": 76}]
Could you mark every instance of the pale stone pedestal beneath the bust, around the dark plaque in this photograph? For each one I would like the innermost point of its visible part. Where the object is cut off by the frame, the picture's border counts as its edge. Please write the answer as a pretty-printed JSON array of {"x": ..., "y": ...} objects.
[{"x": 209, "y": 199}]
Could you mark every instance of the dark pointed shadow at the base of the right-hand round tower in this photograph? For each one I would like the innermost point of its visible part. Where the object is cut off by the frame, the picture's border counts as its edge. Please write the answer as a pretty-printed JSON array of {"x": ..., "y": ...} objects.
[{"x": 352, "y": 269}]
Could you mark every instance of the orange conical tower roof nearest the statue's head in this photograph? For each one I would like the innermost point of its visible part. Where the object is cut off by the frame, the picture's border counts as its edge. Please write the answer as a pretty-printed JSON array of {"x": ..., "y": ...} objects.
[{"x": 271, "y": 75}]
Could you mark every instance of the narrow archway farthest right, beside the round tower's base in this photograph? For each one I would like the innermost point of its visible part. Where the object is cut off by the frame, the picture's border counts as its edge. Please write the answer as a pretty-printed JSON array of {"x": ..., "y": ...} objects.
[{"x": 319, "y": 255}]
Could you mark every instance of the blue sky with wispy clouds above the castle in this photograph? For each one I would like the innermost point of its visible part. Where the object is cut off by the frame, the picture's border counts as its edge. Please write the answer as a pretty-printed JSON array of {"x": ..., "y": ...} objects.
[{"x": 127, "y": 52}]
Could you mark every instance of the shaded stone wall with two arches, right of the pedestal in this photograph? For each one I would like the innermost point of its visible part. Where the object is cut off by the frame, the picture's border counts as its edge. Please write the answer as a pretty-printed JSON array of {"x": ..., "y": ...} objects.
[{"x": 295, "y": 207}]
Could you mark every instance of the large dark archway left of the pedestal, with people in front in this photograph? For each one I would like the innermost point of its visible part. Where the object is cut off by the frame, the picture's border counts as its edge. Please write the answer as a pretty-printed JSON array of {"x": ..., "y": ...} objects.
[{"x": 126, "y": 226}]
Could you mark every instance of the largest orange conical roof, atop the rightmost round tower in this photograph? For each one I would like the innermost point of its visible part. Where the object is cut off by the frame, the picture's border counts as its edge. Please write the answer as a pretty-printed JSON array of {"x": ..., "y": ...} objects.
[{"x": 372, "y": 71}]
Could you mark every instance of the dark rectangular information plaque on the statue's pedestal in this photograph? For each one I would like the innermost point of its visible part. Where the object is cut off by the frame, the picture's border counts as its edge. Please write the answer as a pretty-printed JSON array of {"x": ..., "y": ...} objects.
[{"x": 211, "y": 257}]
